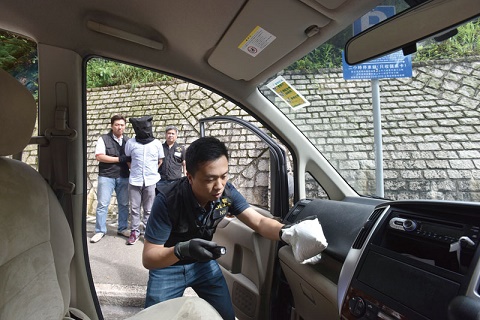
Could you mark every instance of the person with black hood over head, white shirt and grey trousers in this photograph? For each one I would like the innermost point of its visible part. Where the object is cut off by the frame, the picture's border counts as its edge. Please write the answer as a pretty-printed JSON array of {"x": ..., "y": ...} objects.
[{"x": 146, "y": 154}]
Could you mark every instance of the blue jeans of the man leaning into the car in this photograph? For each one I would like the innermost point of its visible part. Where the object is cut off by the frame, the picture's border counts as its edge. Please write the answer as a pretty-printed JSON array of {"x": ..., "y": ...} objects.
[{"x": 205, "y": 278}]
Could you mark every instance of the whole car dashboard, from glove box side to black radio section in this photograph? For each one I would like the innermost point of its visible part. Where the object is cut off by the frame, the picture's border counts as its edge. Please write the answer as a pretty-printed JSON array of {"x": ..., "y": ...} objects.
[{"x": 390, "y": 260}]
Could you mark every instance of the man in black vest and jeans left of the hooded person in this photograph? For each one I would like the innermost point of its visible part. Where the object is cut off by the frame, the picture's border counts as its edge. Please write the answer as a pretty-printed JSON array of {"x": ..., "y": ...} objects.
[{"x": 113, "y": 173}]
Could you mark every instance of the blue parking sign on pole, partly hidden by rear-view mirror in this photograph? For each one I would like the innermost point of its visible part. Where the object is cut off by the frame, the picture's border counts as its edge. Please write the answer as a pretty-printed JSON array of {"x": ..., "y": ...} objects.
[{"x": 394, "y": 65}]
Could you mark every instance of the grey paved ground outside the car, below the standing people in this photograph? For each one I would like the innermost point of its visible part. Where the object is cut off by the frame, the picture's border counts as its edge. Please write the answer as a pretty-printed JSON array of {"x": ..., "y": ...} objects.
[{"x": 119, "y": 276}]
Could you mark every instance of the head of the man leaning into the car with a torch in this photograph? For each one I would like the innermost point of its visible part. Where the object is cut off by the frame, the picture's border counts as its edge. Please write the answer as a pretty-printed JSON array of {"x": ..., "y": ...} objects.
[{"x": 207, "y": 168}]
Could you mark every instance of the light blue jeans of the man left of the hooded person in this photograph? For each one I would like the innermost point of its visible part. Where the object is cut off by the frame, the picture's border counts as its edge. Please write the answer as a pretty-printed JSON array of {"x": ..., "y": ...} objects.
[{"x": 105, "y": 188}]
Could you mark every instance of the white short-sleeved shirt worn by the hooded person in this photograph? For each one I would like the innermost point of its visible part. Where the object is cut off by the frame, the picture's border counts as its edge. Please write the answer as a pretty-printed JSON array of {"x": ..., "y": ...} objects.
[{"x": 144, "y": 165}]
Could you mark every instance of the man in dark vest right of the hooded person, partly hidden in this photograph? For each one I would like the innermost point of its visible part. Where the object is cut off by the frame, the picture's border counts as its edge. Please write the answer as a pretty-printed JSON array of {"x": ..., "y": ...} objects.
[{"x": 173, "y": 166}]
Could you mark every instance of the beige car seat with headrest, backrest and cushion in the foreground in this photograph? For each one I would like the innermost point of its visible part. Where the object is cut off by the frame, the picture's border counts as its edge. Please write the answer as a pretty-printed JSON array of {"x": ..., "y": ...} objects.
[{"x": 34, "y": 260}]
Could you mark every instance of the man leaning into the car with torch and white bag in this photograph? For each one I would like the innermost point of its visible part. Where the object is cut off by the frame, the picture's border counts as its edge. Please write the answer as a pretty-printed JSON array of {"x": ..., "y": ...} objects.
[{"x": 178, "y": 250}]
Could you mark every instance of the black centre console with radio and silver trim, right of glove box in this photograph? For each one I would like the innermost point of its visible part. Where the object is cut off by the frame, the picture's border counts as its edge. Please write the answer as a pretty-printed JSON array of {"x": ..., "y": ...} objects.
[{"x": 410, "y": 260}]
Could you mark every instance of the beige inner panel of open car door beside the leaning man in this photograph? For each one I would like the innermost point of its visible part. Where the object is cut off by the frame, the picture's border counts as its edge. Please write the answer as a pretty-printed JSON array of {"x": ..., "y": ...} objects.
[{"x": 247, "y": 266}]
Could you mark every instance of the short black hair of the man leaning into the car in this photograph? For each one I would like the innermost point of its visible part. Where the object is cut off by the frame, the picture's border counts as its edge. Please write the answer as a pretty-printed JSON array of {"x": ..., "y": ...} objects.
[{"x": 203, "y": 150}]
